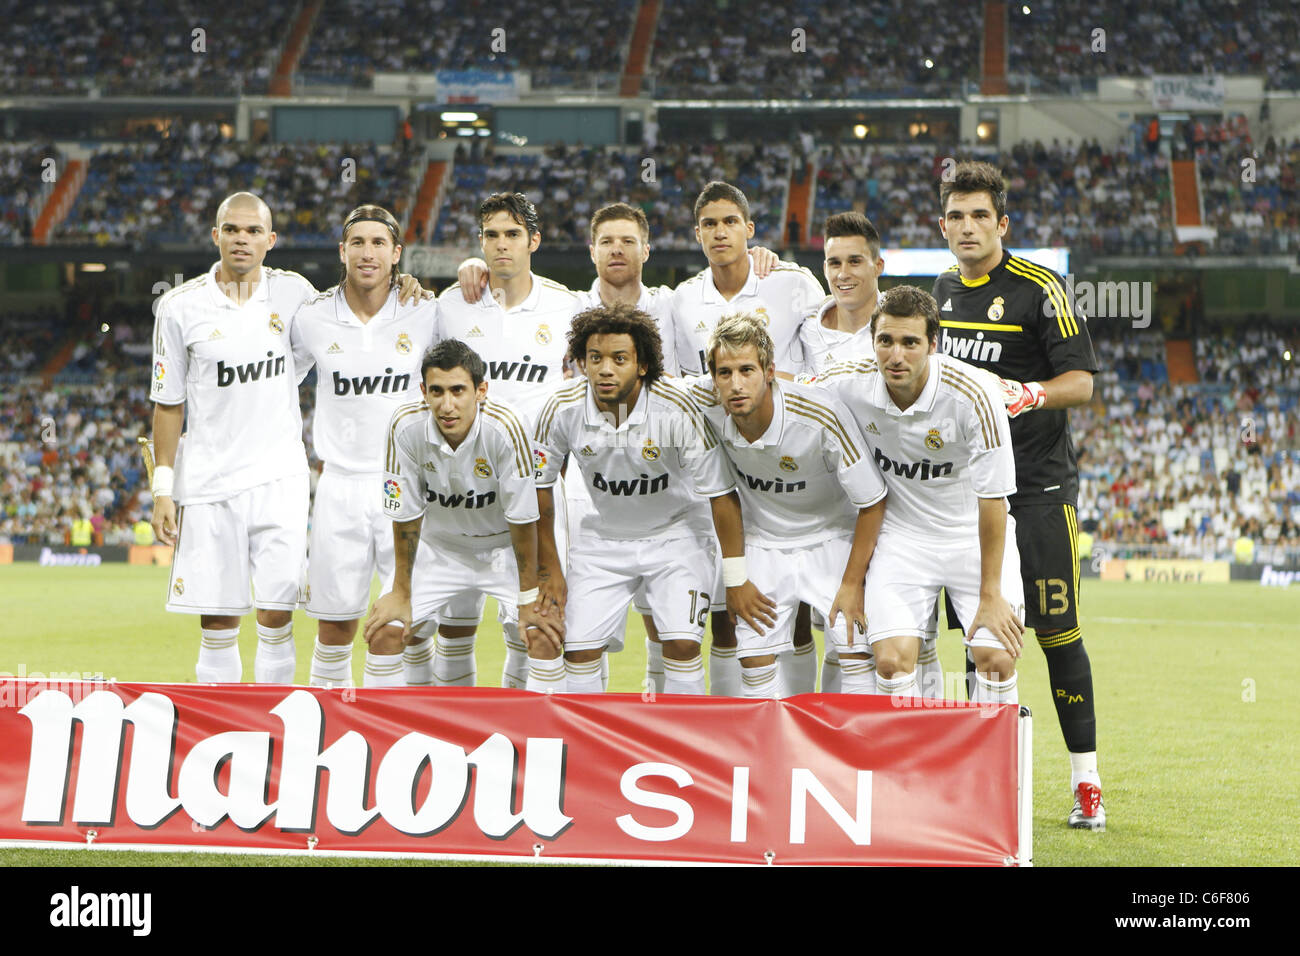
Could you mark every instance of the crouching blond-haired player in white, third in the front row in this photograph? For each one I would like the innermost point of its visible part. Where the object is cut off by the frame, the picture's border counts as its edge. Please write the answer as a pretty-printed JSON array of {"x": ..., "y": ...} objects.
[{"x": 812, "y": 496}]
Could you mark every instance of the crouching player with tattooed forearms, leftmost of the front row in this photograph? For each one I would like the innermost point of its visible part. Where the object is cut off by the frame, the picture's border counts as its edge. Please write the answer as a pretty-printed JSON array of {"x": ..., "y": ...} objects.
[{"x": 461, "y": 491}]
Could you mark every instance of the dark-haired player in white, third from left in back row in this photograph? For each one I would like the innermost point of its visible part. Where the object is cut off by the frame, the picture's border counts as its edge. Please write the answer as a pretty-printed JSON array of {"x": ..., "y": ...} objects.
[{"x": 521, "y": 332}]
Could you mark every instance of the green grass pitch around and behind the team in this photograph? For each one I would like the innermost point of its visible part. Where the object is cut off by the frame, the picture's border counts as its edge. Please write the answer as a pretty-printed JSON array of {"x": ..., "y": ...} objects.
[{"x": 1194, "y": 682}]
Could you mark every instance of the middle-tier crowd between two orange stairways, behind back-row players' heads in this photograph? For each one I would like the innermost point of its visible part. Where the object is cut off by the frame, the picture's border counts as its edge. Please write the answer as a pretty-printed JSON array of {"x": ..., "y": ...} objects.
[{"x": 569, "y": 184}]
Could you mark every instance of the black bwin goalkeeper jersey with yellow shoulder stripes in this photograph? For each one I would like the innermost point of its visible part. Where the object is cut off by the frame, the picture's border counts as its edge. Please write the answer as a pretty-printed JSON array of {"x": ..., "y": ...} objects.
[{"x": 1020, "y": 323}]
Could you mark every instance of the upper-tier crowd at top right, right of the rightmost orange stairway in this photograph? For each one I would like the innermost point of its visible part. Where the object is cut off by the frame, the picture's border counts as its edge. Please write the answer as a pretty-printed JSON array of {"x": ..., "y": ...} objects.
[{"x": 1177, "y": 37}]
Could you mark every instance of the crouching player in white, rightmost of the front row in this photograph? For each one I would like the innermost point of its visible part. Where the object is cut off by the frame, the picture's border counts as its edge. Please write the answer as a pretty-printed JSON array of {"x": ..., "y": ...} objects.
[{"x": 941, "y": 435}]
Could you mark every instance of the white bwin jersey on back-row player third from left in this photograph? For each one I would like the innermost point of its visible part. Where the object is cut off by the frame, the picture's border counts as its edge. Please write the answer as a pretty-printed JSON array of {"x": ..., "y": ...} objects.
[{"x": 525, "y": 347}]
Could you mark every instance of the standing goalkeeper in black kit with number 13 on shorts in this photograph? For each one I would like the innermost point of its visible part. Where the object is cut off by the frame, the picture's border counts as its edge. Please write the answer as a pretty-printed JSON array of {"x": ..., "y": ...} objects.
[{"x": 1015, "y": 319}]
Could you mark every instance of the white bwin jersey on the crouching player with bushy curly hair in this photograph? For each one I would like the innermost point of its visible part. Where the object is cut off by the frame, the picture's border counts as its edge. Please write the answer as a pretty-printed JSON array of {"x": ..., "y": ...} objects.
[{"x": 645, "y": 477}]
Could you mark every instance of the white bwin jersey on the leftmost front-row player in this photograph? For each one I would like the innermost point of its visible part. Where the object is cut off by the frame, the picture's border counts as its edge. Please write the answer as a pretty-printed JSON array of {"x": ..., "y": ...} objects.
[{"x": 469, "y": 496}]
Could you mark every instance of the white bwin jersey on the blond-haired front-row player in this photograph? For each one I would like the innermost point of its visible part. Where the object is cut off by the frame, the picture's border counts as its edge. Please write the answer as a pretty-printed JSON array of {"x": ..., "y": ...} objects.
[{"x": 805, "y": 479}]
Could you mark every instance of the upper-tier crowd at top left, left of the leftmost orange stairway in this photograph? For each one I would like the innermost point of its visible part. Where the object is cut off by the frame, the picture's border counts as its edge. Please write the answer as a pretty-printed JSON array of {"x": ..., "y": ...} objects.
[{"x": 142, "y": 47}]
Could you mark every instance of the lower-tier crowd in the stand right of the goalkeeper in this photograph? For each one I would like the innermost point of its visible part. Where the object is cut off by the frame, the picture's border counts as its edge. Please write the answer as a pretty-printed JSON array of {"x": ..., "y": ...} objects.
[{"x": 1184, "y": 471}]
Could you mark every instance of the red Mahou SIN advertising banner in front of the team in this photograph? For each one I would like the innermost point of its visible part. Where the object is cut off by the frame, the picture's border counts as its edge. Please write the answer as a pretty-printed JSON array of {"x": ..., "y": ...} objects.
[{"x": 479, "y": 772}]
